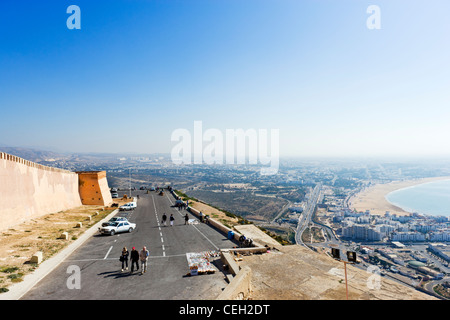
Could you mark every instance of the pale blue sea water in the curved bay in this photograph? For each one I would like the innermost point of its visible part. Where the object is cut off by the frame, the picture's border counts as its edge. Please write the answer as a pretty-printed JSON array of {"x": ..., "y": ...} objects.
[{"x": 432, "y": 198}]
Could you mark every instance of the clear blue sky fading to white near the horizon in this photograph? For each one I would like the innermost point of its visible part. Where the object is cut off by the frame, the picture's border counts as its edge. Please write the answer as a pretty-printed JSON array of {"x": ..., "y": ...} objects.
[{"x": 139, "y": 69}]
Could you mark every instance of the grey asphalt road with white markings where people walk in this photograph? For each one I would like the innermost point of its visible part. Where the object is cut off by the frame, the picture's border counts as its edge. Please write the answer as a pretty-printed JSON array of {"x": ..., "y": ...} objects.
[{"x": 100, "y": 268}]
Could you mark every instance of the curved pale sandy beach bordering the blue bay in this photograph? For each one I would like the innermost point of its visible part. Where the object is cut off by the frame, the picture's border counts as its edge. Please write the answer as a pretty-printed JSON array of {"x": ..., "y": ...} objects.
[{"x": 373, "y": 198}]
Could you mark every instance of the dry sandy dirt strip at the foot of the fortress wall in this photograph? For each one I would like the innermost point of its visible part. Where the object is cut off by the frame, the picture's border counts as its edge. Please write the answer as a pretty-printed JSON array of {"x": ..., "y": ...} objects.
[{"x": 19, "y": 243}]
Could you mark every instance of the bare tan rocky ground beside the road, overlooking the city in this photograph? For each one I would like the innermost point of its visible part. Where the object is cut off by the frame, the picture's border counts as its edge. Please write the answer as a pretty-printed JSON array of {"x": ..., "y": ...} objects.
[{"x": 297, "y": 273}]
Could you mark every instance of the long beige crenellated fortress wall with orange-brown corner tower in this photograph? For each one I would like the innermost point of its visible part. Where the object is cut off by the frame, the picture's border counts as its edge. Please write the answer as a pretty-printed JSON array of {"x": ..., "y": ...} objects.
[{"x": 29, "y": 190}]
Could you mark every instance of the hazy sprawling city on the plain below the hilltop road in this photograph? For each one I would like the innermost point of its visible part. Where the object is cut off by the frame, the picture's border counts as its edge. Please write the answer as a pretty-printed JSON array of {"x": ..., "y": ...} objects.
[{"x": 306, "y": 203}]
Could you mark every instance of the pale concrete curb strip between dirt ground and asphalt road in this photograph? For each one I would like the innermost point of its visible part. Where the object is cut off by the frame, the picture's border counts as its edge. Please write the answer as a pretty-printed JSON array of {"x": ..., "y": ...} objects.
[{"x": 18, "y": 290}]
